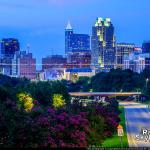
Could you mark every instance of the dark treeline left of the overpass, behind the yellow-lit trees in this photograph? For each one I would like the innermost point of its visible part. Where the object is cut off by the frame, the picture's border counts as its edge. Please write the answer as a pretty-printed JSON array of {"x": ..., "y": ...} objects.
[{"x": 43, "y": 91}]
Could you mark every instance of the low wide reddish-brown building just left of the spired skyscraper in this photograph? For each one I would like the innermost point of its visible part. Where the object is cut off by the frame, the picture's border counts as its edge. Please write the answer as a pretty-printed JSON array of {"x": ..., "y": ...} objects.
[{"x": 53, "y": 61}]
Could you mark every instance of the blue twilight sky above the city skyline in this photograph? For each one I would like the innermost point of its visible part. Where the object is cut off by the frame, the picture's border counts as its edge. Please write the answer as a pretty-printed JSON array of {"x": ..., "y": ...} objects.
[{"x": 41, "y": 23}]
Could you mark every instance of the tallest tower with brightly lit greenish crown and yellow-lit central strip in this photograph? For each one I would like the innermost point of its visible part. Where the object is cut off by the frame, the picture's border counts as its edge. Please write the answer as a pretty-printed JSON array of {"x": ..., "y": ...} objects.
[{"x": 103, "y": 44}]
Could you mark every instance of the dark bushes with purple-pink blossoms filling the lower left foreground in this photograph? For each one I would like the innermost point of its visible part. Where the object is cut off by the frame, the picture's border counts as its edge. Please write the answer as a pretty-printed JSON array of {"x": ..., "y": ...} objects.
[{"x": 41, "y": 127}]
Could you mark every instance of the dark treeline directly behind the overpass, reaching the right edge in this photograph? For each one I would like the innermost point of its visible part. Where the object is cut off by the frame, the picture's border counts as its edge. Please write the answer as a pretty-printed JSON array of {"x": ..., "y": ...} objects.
[{"x": 115, "y": 80}]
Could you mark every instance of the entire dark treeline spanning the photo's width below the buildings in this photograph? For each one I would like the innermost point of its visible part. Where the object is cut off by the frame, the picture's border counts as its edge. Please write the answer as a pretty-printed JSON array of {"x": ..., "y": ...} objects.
[{"x": 115, "y": 80}]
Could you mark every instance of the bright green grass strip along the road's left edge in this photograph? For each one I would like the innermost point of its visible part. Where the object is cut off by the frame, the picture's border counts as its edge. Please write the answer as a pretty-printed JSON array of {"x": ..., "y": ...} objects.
[{"x": 115, "y": 140}]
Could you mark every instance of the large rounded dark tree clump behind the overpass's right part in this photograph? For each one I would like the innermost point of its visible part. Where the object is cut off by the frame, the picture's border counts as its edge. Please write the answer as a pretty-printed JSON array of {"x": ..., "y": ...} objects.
[{"x": 115, "y": 80}]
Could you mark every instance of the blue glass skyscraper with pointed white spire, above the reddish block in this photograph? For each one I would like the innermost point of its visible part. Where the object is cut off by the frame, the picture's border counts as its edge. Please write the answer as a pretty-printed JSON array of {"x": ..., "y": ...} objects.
[{"x": 75, "y": 41}]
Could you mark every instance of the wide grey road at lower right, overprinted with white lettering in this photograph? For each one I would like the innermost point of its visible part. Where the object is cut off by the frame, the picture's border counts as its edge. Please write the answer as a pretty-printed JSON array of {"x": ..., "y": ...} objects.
[{"x": 137, "y": 118}]
